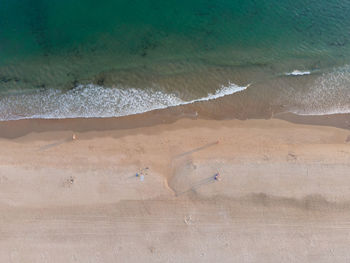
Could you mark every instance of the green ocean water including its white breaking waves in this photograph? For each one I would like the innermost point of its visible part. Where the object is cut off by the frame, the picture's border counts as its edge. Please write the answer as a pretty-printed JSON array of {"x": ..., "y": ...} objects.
[{"x": 61, "y": 59}]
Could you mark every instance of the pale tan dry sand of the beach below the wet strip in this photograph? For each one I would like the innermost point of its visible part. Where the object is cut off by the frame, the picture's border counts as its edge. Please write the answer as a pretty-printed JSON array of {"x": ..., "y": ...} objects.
[{"x": 284, "y": 194}]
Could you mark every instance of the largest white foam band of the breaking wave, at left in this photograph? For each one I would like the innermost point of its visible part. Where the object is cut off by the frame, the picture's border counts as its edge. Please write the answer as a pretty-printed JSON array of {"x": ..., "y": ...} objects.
[{"x": 88, "y": 101}]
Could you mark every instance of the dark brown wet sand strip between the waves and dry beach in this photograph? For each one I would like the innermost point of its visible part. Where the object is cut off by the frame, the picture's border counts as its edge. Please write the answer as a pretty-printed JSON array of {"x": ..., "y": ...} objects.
[{"x": 18, "y": 128}]
